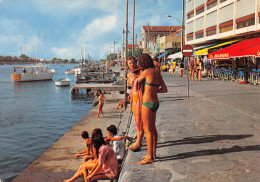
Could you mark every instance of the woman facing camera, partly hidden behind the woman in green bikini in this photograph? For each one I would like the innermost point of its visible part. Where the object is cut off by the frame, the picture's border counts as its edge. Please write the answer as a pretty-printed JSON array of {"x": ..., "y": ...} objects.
[{"x": 134, "y": 95}]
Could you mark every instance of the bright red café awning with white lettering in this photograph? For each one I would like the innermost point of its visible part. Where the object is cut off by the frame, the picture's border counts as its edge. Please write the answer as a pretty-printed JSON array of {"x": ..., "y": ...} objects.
[{"x": 248, "y": 47}]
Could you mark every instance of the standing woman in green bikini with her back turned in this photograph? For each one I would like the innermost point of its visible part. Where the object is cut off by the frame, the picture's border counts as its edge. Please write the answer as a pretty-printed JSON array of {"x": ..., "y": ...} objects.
[{"x": 153, "y": 84}]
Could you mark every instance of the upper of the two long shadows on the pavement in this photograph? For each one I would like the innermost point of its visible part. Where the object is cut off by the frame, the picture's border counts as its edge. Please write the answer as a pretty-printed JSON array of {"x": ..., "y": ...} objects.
[{"x": 202, "y": 139}]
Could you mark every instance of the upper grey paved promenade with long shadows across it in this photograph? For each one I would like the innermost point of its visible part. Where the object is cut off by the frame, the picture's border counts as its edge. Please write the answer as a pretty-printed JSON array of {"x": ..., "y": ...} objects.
[{"x": 212, "y": 136}]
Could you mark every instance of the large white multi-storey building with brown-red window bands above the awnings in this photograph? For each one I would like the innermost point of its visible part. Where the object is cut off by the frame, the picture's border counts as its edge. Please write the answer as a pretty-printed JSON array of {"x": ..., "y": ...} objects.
[{"x": 212, "y": 20}]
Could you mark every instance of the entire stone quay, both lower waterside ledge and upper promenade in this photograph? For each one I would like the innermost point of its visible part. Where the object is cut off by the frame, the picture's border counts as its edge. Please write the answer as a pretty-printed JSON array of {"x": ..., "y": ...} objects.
[{"x": 214, "y": 135}]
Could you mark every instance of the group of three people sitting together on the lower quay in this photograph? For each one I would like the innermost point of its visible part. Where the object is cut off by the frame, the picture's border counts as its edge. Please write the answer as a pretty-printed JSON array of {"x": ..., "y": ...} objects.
[{"x": 100, "y": 160}]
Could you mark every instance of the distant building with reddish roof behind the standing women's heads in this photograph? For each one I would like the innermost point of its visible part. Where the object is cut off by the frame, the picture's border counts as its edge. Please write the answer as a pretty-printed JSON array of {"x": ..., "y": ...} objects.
[{"x": 150, "y": 34}]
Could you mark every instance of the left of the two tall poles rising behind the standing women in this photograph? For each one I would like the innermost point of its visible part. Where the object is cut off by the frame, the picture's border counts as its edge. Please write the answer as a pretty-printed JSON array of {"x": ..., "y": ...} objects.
[{"x": 126, "y": 45}]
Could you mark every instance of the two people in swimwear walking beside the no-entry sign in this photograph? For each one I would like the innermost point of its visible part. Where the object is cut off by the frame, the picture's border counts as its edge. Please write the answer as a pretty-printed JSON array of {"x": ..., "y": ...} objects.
[{"x": 195, "y": 67}]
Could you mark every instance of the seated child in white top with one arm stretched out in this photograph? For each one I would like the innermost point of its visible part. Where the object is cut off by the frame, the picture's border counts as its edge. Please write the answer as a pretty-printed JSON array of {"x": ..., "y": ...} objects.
[{"x": 116, "y": 141}]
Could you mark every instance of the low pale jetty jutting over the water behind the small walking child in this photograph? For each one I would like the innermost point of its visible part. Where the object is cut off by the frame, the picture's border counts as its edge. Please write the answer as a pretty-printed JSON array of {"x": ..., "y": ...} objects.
[{"x": 95, "y": 87}]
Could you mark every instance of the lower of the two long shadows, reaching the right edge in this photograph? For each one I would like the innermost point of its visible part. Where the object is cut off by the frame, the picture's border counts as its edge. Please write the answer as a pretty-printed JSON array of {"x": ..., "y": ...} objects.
[{"x": 210, "y": 152}]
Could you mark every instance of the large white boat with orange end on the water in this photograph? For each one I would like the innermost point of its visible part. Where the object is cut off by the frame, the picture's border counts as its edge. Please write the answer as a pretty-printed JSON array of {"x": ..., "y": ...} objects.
[{"x": 39, "y": 72}]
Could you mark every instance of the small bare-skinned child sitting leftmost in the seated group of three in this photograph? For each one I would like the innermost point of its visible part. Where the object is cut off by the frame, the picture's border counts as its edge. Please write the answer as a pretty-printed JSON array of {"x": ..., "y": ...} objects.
[{"x": 88, "y": 152}]
